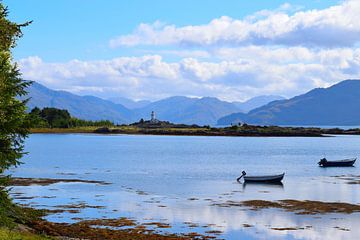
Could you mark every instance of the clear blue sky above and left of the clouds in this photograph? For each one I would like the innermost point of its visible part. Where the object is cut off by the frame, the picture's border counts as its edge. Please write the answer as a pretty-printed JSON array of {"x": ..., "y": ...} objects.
[{"x": 66, "y": 29}]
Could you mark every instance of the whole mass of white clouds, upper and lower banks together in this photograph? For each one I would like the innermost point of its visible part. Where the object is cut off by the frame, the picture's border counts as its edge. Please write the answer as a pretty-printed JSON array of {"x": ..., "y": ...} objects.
[{"x": 286, "y": 51}]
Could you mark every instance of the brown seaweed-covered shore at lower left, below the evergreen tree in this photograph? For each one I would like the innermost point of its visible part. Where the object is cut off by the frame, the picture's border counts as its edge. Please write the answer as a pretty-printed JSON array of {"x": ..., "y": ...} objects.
[{"x": 38, "y": 228}]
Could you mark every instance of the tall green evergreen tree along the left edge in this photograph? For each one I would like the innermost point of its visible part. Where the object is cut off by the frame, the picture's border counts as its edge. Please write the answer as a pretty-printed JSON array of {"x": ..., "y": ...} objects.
[{"x": 14, "y": 124}]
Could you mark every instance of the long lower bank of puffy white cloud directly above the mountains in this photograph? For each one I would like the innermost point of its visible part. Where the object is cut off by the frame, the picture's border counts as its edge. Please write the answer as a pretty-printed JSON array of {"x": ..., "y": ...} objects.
[{"x": 232, "y": 74}]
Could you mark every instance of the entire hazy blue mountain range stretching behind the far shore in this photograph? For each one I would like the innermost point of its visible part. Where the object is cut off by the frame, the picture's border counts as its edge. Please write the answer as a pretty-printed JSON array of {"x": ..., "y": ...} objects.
[{"x": 336, "y": 105}]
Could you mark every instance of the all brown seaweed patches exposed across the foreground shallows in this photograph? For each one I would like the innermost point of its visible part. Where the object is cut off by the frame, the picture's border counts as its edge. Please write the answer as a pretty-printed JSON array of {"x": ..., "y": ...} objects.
[{"x": 121, "y": 227}]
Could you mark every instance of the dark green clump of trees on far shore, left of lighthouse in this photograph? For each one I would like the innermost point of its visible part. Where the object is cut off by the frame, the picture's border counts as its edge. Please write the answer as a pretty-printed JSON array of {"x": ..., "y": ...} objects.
[{"x": 60, "y": 118}]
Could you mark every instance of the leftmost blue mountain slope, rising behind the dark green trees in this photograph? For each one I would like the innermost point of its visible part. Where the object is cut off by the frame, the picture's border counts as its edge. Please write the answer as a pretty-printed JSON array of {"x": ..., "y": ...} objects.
[{"x": 83, "y": 107}]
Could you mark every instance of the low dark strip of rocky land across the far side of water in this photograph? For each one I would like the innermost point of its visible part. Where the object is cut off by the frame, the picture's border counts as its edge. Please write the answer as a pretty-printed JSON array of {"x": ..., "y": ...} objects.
[{"x": 193, "y": 130}]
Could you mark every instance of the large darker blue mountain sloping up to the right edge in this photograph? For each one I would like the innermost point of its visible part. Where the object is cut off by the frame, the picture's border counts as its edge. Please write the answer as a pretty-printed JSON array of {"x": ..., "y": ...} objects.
[{"x": 337, "y": 105}]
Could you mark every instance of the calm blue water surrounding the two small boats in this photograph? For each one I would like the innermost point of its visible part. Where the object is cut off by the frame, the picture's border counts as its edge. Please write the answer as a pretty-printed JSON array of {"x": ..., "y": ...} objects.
[{"x": 176, "y": 179}]
